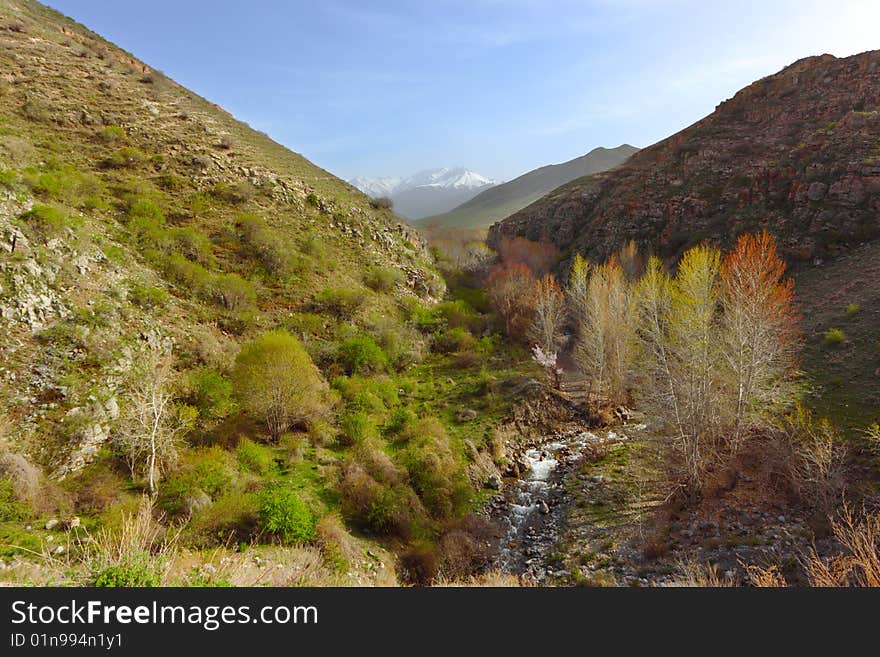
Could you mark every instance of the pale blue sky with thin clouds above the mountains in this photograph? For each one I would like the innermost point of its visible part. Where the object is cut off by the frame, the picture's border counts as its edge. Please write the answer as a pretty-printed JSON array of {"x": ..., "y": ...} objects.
[{"x": 499, "y": 86}]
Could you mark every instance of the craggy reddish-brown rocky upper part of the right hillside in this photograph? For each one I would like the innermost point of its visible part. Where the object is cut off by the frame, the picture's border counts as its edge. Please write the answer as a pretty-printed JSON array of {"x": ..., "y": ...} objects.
[{"x": 797, "y": 152}]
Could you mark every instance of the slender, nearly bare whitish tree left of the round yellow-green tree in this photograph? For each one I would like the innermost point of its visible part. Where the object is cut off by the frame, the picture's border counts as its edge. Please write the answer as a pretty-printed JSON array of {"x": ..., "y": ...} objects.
[{"x": 151, "y": 424}]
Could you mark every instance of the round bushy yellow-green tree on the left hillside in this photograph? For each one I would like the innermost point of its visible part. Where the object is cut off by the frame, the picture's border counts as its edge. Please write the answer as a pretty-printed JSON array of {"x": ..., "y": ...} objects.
[{"x": 275, "y": 379}]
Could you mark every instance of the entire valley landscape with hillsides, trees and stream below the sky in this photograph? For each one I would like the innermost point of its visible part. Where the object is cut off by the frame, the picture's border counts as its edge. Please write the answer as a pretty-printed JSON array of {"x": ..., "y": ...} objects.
[{"x": 225, "y": 366}]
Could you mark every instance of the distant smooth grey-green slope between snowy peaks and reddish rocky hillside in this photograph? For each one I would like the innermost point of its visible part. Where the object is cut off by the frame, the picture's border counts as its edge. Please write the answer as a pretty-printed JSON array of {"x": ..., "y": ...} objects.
[{"x": 503, "y": 200}]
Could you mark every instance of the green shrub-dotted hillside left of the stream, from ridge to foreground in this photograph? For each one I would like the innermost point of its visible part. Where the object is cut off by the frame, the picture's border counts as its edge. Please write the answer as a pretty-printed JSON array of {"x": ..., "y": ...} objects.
[{"x": 137, "y": 218}]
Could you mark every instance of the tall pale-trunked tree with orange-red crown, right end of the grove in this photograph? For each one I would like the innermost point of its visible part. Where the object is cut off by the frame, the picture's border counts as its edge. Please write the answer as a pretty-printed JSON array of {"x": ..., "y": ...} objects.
[{"x": 759, "y": 329}]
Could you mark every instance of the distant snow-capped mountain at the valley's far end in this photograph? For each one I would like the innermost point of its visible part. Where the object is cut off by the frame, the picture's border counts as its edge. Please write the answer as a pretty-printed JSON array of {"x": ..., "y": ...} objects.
[{"x": 428, "y": 192}]
